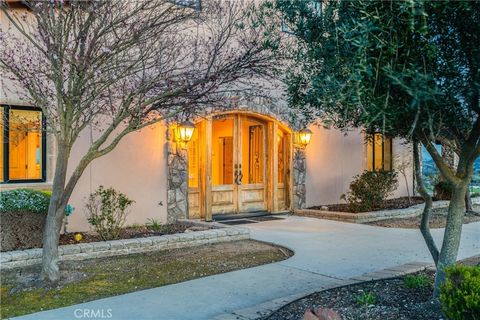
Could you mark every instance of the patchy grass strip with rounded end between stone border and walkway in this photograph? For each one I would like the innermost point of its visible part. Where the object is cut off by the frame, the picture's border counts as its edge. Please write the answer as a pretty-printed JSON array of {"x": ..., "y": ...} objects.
[{"x": 86, "y": 280}]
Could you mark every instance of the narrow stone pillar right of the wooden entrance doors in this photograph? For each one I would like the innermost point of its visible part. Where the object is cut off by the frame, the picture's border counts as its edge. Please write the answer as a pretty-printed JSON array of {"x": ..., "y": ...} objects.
[{"x": 299, "y": 175}]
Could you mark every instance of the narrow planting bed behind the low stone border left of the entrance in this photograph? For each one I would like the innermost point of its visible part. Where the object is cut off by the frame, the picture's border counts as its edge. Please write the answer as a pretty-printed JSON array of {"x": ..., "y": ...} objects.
[{"x": 131, "y": 232}]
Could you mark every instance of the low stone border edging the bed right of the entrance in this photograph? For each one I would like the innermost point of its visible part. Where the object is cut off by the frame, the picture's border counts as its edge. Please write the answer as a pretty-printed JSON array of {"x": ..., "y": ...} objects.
[{"x": 372, "y": 216}]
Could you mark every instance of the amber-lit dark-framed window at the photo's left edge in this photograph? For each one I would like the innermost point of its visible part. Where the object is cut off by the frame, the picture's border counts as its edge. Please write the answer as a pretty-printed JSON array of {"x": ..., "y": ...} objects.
[{"x": 22, "y": 151}]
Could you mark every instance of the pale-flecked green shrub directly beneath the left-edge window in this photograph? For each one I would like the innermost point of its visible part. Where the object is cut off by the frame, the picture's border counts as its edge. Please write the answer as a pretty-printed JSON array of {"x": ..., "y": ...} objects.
[{"x": 24, "y": 200}]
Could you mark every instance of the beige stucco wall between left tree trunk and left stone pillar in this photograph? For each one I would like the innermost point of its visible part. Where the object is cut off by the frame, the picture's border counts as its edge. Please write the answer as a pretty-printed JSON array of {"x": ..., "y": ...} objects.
[{"x": 137, "y": 168}]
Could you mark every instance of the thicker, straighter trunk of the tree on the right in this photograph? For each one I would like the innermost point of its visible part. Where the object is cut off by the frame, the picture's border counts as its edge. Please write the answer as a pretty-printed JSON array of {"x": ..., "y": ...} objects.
[{"x": 452, "y": 235}]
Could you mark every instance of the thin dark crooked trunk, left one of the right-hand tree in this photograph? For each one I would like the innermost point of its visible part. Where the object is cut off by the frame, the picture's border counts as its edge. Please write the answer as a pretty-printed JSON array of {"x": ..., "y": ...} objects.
[{"x": 427, "y": 210}]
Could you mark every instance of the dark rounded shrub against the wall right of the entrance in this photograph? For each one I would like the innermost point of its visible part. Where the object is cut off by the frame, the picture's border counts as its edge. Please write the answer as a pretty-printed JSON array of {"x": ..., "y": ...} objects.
[{"x": 370, "y": 189}]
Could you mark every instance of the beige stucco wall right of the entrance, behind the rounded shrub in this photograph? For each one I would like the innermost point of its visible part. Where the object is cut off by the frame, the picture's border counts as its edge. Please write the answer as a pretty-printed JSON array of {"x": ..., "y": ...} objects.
[{"x": 334, "y": 158}]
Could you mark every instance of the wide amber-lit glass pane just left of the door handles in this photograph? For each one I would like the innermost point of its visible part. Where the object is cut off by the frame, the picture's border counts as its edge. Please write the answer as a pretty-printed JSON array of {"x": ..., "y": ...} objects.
[{"x": 222, "y": 151}]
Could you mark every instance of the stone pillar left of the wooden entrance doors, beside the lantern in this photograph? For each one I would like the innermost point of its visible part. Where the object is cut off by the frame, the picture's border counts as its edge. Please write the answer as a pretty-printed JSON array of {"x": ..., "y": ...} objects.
[{"x": 177, "y": 184}]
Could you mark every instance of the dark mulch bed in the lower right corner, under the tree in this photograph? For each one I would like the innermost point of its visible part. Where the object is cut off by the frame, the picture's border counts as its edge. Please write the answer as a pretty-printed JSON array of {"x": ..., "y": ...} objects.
[{"x": 408, "y": 297}]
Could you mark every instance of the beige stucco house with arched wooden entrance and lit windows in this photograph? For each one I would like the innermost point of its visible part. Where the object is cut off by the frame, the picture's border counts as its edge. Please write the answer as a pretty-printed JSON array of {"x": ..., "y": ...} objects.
[{"x": 246, "y": 159}]
